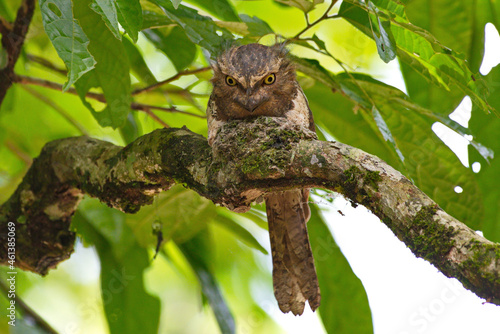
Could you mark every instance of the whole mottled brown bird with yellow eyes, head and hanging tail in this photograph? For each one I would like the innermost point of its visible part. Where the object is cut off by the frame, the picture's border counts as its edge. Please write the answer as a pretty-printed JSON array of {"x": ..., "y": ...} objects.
[{"x": 255, "y": 80}]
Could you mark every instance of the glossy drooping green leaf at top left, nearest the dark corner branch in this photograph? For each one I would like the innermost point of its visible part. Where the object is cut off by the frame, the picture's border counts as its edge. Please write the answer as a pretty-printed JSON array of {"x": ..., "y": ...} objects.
[{"x": 68, "y": 38}]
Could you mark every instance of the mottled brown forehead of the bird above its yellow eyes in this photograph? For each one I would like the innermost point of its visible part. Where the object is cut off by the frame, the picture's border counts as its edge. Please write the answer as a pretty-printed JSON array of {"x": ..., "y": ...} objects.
[{"x": 249, "y": 63}]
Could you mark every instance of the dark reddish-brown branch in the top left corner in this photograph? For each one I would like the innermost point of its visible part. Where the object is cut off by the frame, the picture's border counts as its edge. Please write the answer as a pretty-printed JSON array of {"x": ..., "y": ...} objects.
[{"x": 12, "y": 42}]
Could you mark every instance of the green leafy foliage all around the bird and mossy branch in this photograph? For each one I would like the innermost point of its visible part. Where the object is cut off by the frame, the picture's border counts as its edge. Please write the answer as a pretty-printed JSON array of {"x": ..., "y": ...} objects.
[{"x": 127, "y": 67}]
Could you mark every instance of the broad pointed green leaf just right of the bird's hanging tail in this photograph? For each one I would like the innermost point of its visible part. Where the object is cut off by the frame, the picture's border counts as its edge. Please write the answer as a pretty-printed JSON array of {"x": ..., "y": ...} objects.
[{"x": 344, "y": 305}]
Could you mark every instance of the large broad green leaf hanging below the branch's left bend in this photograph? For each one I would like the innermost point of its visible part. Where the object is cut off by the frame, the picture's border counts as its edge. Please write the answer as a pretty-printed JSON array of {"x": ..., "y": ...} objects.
[{"x": 128, "y": 307}]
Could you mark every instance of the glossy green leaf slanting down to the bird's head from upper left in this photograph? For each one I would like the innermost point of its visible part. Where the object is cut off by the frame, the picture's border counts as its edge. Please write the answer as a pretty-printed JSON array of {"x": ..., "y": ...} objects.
[{"x": 201, "y": 30}]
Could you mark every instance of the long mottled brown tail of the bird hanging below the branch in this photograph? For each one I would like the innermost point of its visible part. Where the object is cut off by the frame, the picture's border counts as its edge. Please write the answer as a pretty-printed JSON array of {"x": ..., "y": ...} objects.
[{"x": 294, "y": 274}]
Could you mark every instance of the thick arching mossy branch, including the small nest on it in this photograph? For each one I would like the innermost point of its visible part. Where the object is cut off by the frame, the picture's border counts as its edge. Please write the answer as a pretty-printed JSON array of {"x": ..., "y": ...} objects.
[{"x": 247, "y": 159}]
